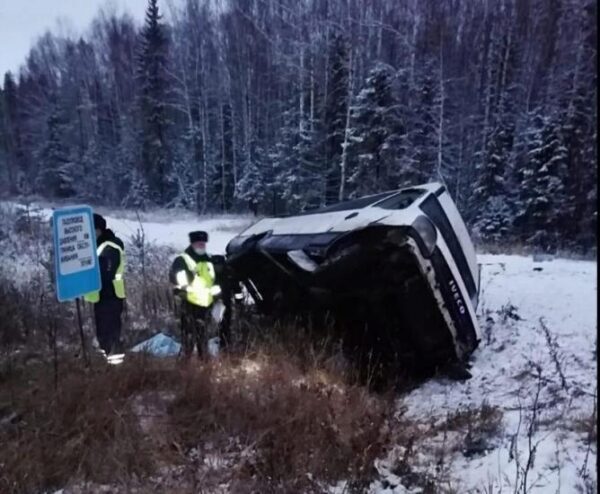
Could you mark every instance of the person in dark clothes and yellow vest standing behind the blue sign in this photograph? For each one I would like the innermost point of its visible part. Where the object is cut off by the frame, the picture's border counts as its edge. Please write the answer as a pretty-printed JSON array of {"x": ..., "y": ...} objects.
[{"x": 108, "y": 301}]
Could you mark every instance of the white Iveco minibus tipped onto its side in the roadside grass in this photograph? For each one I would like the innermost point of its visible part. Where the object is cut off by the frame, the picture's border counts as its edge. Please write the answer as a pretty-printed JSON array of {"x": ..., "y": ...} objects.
[{"x": 396, "y": 271}]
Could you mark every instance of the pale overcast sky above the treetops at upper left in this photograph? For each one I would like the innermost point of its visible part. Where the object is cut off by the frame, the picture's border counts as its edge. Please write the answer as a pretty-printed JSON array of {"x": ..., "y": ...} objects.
[{"x": 22, "y": 21}]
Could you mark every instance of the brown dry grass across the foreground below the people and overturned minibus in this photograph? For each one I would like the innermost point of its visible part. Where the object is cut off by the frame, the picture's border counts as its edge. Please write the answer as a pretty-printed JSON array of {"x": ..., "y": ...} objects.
[{"x": 277, "y": 423}]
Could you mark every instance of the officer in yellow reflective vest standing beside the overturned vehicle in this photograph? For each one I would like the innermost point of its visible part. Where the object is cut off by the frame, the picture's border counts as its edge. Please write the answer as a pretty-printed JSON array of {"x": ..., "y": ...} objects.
[{"x": 192, "y": 275}]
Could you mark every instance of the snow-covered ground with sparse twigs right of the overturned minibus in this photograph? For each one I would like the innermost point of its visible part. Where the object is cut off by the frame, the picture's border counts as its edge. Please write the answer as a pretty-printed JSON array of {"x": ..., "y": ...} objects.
[{"x": 531, "y": 320}]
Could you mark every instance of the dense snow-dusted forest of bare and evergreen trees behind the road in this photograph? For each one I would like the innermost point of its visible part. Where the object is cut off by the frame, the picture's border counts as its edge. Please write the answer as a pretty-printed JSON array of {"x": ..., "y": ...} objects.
[{"x": 282, "y": 105}]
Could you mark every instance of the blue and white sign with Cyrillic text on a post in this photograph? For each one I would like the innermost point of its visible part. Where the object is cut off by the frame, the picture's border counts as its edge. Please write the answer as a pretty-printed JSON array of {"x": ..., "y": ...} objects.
[{"x": 75, "y": 259}]
